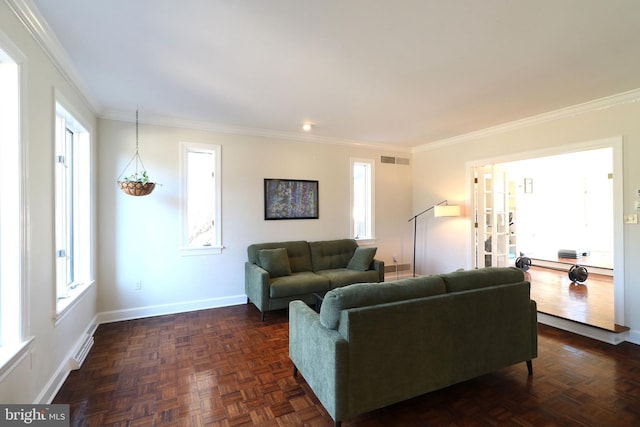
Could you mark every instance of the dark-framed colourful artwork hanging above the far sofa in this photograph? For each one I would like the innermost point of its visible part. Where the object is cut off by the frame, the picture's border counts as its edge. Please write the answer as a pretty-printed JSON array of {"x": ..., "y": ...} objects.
[{"x": 290, "y": 199}]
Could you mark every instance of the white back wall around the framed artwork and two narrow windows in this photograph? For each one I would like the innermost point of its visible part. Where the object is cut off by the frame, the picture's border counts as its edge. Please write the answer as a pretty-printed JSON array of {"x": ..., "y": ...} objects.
[{"x": 139, "y": 236}]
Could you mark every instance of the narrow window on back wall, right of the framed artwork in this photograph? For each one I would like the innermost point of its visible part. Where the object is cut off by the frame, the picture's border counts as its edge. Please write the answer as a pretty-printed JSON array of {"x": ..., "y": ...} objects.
[{"x": 362, "y": 200}]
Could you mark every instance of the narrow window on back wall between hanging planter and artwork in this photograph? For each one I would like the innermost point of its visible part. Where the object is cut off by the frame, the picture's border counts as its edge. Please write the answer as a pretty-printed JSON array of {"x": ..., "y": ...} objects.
[{"x": 201, "y": 198}]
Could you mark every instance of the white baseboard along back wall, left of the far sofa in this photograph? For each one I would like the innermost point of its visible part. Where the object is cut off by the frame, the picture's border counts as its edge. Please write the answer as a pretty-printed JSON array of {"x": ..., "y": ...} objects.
[{"x": 159, "y": 310}]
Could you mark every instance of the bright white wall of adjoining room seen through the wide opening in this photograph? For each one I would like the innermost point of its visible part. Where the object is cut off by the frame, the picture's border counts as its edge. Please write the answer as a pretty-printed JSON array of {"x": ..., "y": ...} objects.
[{"x": 571, "y": 206}]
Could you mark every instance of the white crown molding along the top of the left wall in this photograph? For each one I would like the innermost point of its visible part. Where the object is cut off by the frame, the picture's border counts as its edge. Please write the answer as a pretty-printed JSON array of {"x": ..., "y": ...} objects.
[{"x": 39, "y": 29}]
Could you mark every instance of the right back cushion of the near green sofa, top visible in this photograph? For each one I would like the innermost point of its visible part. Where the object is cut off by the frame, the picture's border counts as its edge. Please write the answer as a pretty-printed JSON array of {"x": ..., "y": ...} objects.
[{"x": 481, "y": 278}]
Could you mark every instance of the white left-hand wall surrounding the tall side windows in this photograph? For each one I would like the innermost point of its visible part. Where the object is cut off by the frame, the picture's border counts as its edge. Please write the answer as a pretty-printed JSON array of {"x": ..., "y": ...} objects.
[{"x": 37, "y": 375}]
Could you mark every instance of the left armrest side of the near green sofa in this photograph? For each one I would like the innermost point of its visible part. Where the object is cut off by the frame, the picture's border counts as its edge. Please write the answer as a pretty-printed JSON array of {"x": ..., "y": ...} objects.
[{"x": 321, "y": 356}]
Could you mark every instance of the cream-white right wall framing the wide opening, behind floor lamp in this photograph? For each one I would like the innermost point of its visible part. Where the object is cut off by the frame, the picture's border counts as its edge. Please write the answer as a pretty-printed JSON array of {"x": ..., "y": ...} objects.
[{"x": 440, "y": 173}]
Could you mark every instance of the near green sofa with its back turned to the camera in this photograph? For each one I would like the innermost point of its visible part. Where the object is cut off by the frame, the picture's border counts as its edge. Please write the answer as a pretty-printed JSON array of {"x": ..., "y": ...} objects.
[{"x": 373, "y": 345}]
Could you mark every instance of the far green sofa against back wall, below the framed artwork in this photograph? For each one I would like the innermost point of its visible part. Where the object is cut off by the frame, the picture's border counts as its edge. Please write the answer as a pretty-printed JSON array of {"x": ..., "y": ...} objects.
[{"x": 280, "y": 272}]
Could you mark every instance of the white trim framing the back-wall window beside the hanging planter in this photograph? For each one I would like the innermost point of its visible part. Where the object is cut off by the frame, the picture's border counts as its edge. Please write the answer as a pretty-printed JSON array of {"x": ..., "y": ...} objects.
[{"x": 217, "y": 247}]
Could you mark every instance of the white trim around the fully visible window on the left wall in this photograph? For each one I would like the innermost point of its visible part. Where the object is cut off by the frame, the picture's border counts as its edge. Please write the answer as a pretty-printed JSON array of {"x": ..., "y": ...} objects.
[{"x": 73, "y": 120}]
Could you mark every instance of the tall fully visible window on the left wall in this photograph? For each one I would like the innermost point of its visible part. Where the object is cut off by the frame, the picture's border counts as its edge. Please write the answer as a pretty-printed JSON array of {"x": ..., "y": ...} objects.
[{"x": 73, "y": 206}]
